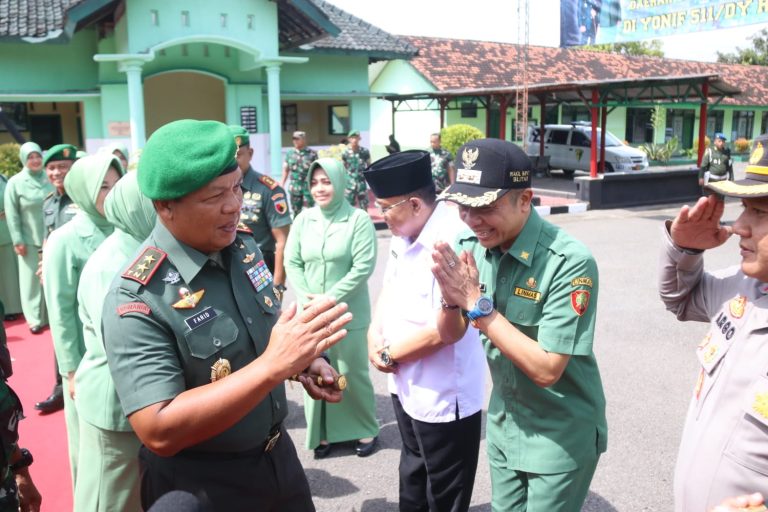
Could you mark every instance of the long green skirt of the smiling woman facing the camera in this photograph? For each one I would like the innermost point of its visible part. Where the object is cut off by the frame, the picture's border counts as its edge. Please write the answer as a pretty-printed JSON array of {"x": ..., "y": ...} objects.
[{"x": 355, "y": 416}]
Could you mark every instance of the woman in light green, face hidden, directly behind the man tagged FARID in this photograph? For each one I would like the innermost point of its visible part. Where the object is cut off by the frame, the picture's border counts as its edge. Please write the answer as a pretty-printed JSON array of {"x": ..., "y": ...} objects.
[{"x": 108, "y": 465}]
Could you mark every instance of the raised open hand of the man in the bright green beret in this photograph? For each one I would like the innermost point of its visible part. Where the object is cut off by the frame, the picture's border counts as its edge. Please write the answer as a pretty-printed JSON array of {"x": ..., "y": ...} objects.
[{"x": 299, "y": 338}]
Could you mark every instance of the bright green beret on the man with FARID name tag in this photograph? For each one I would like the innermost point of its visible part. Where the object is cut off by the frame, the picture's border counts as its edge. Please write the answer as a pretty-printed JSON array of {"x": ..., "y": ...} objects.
[{"x": 184, "y": 156}]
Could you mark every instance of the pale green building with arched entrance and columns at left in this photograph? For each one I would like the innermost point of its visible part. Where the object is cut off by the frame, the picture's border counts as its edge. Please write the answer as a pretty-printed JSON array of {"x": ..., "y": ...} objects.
[{"x": 93, "y": 72}]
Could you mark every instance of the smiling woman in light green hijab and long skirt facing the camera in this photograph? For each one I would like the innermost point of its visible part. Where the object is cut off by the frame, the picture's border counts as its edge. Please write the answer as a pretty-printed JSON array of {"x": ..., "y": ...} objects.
[{"x": 331, "y": 250}]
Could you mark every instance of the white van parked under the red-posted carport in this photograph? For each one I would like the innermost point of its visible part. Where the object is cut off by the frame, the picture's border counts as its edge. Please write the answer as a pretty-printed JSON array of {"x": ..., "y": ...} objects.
[{"x": 568, "y": 147}]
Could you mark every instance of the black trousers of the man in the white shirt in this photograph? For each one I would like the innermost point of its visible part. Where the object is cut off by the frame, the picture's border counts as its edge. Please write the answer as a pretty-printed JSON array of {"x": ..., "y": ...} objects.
[{"x": 438, "y": 462}]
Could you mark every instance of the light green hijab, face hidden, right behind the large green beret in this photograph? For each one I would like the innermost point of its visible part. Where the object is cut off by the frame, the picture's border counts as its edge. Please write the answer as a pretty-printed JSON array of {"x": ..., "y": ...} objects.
[{"x": 129, "y": 210}]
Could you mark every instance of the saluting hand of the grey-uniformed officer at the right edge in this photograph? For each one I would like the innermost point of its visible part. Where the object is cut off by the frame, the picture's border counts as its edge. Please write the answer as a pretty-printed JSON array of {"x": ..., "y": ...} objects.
[{"x": 699, "y": 227}]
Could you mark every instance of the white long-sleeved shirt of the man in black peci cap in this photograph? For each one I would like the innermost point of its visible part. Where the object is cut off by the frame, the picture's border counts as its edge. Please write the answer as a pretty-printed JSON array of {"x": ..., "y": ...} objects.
[{"x": 432, "y": 389}]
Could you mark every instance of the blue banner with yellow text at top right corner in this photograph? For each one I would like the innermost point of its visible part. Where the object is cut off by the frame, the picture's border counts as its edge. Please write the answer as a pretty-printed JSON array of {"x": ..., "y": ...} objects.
[{"x": 616, "y": 21}]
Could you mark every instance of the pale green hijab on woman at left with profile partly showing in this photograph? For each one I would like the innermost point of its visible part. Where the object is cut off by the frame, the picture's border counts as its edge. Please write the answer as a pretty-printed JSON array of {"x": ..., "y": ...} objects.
[{"x": 83, "y": 182}]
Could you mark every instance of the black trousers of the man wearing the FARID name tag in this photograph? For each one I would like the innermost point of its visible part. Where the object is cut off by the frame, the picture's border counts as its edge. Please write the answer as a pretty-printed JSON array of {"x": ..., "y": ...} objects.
[{"x": 243, "y": 482}]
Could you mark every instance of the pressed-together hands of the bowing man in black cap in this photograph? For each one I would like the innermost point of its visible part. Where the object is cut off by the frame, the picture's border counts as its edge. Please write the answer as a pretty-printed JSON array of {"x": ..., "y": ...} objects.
[{"x": 457, "y": 276}]
